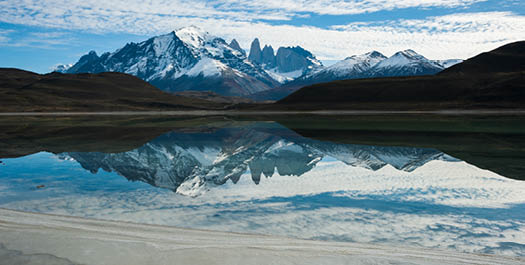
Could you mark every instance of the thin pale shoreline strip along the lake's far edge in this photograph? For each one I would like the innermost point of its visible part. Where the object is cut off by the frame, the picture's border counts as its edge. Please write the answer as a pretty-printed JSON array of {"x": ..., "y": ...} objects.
[{"x": 248, "y": 113}]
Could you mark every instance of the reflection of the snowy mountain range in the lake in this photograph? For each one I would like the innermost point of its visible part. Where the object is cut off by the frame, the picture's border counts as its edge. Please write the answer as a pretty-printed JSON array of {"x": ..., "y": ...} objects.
[{"x": 190, "y": 163}]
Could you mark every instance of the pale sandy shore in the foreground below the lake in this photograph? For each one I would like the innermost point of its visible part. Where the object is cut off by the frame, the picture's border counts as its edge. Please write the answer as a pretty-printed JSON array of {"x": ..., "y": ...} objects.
[{"x": 30, "y": 238}]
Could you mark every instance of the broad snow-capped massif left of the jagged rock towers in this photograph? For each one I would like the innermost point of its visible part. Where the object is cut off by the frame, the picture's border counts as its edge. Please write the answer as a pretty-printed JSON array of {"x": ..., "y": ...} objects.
[{"x": 186, "y": 59}]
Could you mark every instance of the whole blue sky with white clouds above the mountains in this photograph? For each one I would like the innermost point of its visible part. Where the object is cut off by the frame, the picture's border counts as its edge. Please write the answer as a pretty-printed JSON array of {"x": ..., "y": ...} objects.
[{"x": 37, "y": 35}]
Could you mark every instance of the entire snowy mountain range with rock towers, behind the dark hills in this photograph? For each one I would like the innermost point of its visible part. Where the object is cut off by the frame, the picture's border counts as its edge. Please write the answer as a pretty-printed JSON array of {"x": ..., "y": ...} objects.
[{"x": 190, "y": 59}]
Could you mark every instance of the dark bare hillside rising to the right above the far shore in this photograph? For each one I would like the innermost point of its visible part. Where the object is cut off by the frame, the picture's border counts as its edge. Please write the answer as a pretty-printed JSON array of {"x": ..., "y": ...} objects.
[{"x": 491, "y": 80}]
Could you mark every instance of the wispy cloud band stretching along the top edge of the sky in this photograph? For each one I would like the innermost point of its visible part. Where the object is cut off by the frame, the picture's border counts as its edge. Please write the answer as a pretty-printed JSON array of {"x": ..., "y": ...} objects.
[{"x": 75, "y": 13}]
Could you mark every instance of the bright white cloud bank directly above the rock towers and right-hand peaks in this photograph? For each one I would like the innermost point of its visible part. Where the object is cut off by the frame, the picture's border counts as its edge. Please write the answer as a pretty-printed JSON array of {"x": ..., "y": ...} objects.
[{"x": 460, "y": 35}]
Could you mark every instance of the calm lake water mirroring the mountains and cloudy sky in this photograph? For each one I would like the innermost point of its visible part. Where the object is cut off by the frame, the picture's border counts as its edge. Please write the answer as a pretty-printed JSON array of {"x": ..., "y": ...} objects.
[{"x": 265, "y": 177}]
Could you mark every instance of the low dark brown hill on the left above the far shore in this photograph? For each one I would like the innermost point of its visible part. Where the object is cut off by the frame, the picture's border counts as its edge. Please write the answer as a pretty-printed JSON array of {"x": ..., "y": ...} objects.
[{"x": 26, "y": 91}]
